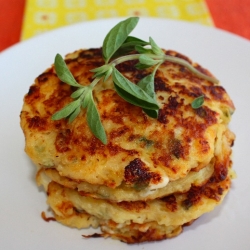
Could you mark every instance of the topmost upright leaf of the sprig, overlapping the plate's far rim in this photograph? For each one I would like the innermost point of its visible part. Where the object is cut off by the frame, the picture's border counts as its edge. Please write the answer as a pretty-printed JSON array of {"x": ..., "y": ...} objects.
[{"x": 117, "y": 36}]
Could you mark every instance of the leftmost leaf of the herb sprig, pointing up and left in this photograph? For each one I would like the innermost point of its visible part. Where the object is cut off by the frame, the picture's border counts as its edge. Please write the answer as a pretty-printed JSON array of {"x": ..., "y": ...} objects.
[{"x": 63, "y": 72}]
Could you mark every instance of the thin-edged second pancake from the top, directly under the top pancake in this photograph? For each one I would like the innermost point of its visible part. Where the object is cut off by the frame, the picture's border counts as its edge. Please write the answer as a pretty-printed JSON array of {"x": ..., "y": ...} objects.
[{"x": 123, "y": 193}]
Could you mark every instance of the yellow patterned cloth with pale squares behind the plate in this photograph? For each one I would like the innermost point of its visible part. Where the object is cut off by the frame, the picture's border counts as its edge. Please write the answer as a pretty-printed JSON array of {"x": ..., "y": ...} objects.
[{"x": 44, "y": 15}]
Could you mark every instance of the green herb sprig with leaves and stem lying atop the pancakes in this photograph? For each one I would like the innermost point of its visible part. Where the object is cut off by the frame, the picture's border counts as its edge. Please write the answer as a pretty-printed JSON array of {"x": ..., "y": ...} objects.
[{"x": 115, "y": 50}]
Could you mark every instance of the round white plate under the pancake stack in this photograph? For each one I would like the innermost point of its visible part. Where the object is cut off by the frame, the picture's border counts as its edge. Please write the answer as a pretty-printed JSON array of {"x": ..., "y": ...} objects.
[{"x": 225, "y": 55}]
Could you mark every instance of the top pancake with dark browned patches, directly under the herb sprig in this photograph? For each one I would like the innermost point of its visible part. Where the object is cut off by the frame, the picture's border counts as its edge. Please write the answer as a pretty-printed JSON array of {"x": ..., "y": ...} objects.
[{"x": 141, "y": 151}]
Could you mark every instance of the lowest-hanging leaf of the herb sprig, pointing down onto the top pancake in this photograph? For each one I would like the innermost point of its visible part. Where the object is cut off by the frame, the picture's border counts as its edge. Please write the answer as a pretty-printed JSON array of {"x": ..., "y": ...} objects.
[{"x": 94, "y": 120}]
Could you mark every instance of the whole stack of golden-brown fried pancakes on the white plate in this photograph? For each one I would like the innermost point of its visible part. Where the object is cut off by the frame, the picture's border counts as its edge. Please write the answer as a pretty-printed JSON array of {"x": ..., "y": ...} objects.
[{"x": 154, "y": 175}]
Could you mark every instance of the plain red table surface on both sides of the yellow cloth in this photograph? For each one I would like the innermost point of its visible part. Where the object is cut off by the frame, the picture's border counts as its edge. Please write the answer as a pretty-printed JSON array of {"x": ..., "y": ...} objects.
[{"x": 230, "y": 15}]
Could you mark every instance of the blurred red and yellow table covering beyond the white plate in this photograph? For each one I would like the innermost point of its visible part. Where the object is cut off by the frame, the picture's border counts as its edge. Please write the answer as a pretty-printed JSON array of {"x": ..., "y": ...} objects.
[{"x": 23, "y": 19}]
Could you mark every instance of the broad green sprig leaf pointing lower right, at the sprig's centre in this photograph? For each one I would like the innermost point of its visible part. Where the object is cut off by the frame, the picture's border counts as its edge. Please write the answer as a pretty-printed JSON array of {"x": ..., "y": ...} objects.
[{"x": 141, "y": 98}]
